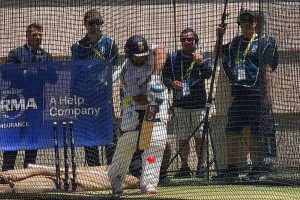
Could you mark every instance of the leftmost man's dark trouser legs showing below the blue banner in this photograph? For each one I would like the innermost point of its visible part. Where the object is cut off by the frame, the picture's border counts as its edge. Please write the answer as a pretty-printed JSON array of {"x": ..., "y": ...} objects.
[{"x": 9, "y": 159}]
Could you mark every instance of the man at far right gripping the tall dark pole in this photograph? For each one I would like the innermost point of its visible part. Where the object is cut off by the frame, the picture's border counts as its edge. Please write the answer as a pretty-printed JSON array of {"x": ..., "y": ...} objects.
[{"x": 248, "y": 62}]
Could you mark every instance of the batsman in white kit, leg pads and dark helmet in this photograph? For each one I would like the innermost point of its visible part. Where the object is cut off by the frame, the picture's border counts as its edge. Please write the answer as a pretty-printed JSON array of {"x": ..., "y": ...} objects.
[{"x": 142, "y": 86}]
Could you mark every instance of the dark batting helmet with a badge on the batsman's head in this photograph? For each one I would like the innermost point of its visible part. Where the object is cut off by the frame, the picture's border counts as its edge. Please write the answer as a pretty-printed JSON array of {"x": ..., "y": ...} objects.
[{"x": 136, "y": 46}]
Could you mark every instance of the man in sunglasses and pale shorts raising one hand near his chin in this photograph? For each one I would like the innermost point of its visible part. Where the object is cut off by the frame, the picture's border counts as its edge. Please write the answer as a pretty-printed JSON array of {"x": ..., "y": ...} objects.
[{"x": 185, "y": 73}]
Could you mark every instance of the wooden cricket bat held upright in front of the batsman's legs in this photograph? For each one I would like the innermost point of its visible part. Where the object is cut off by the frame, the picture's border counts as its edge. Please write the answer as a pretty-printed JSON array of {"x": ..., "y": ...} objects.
[{"x": 147, "y": 127}]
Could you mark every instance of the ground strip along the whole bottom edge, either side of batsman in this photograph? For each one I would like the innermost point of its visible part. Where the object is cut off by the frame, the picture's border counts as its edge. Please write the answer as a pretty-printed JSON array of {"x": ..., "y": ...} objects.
[{"x": 203, "y": 192}]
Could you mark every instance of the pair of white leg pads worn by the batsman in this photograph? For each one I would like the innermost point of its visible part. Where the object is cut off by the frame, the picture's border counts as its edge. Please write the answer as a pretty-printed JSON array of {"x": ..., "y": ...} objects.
[{"x": 126, "y": 147}]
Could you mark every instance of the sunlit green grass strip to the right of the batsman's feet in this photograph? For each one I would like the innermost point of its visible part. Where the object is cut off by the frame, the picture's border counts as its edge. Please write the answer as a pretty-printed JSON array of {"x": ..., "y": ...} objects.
[{"x": 224, "y": 192}]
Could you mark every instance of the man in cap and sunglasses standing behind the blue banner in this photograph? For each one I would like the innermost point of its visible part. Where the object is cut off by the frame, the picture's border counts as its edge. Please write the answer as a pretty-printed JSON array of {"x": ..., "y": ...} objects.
[{"x": 95, "y": 45}]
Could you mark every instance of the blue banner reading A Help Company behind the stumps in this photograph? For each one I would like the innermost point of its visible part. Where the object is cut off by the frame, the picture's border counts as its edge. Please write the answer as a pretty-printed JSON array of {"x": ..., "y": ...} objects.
[{"x": 33, "y": 96}]
